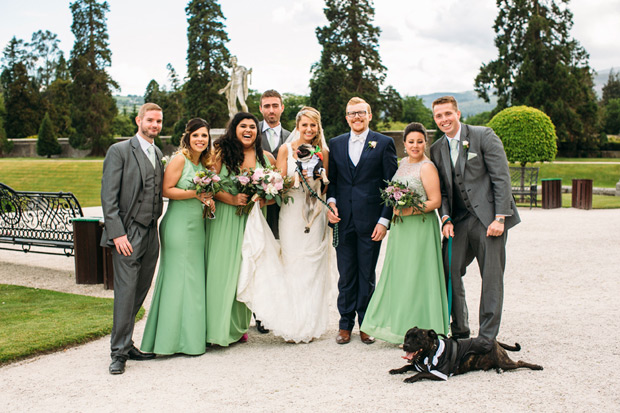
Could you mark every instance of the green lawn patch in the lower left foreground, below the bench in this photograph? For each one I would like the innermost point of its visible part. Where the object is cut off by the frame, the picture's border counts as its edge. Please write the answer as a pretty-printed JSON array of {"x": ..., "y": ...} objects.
[{"x": 34, "y": 321}]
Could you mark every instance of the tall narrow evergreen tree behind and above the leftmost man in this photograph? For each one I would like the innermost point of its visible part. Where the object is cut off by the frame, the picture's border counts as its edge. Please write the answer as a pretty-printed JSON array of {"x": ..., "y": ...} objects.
[{"x": 94, "y": 107}]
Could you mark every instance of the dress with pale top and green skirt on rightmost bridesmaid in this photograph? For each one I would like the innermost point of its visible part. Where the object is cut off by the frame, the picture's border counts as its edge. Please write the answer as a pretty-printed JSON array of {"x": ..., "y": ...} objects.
[{"x": 411, "y": 291}]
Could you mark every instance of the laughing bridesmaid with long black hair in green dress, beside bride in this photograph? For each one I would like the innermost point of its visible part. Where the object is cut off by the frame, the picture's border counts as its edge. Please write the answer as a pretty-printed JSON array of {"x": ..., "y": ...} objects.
[{"x": 237, "y": 150}]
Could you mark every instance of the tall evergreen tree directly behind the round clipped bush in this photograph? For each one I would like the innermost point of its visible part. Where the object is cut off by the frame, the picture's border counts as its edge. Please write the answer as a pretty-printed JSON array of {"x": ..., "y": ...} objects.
[{"x": 540, "y": 65}]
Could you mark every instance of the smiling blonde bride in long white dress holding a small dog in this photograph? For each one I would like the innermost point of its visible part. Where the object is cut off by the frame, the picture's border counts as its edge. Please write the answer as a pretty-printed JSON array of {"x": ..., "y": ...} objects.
[{"x": 288, "y": 285}]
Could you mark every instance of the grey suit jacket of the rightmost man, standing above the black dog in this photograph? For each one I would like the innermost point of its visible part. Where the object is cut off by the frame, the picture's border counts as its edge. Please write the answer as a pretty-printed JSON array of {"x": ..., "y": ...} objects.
[{"x": 484, "y": 168}]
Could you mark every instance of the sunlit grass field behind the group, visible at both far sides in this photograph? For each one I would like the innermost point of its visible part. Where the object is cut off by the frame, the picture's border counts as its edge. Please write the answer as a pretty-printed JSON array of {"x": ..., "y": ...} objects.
[{"x": 83, "y": 176}]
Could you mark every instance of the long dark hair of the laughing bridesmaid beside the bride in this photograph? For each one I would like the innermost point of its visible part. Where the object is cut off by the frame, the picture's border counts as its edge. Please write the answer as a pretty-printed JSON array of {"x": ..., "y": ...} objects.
[{"x": 230, "y": 150}]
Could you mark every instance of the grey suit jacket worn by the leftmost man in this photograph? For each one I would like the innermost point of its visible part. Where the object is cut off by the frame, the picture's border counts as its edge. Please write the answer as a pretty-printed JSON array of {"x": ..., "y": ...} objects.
[{"x": 124, "y": 170}]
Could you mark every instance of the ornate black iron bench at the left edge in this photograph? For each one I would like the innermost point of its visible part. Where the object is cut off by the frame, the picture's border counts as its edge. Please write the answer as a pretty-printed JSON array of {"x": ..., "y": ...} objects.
[{"x": 38, "y": 219}]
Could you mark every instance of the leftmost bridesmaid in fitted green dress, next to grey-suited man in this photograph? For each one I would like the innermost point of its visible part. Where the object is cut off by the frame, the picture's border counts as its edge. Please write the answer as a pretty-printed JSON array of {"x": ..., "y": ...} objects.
[{"x": 176, "y": 320}]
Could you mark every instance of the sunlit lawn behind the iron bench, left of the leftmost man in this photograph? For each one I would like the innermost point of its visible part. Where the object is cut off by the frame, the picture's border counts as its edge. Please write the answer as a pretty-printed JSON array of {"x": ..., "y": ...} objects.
[{"x": 82, "y": 177}]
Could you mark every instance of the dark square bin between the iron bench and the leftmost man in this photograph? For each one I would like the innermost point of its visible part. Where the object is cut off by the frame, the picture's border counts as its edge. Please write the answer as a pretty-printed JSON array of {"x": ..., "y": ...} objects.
[{"x": 88, "y": 253}]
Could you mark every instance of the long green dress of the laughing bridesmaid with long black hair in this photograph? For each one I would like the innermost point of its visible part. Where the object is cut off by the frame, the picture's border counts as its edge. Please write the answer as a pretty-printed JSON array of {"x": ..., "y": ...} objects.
[{"x": 227, "y": 318}]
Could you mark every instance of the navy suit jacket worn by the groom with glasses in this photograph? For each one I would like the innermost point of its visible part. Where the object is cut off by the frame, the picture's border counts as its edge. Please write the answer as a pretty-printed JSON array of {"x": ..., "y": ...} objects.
[{"x": 358, "y": 191}]
